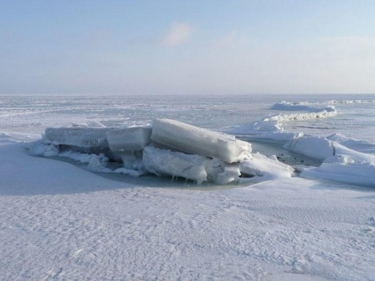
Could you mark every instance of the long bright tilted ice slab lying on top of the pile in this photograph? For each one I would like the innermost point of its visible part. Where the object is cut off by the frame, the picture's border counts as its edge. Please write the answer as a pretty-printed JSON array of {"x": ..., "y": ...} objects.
[{"x": 190, "y": 139}]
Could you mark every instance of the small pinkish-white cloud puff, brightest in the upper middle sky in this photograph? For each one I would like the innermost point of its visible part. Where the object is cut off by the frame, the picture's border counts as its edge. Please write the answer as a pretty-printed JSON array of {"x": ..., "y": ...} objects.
[{"x": 177, "y": 34}]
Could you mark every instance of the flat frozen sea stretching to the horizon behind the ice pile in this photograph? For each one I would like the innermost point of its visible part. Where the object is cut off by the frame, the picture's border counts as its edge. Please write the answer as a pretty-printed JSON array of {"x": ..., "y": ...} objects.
[{"x": 32, "y": 114}]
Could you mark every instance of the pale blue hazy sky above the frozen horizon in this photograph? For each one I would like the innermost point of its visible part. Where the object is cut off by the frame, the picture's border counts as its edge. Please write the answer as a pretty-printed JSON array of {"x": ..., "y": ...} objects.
[{"x": 175, "y": 47}]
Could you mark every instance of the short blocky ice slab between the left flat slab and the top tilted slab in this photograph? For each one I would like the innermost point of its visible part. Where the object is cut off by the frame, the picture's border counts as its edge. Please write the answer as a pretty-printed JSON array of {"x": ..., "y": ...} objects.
[{"x": 129, "y": 139}]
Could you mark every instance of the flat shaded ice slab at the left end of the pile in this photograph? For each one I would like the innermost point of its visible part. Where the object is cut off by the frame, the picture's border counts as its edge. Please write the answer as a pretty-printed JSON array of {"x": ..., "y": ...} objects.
[{"x": 80, "y": 137}]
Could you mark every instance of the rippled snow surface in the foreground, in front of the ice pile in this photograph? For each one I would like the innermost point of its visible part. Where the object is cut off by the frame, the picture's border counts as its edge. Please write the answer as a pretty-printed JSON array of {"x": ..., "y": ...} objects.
[{"x": 60, "y": 222}]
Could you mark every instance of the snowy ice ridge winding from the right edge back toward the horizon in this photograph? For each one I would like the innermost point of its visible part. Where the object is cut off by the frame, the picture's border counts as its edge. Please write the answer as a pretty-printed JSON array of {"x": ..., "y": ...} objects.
[{"x": 342, "y": 159}]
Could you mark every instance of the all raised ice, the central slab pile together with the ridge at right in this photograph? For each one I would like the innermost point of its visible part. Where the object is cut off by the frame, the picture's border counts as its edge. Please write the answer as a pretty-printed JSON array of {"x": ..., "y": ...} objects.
[{"x": 176, "y": 149}]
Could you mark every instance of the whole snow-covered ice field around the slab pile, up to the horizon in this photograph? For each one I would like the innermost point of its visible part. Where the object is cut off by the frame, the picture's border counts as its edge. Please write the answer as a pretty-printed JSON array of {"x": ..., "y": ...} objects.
[{"x": 61, "y": 221}]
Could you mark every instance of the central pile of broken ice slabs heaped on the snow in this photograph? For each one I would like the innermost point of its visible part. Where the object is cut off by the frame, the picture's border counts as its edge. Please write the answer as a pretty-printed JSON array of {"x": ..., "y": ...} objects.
[{"x": 168, "y": 148}]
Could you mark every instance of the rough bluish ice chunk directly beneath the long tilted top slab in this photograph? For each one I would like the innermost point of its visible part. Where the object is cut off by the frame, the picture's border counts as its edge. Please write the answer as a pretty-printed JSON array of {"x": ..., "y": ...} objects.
[{"x": 165, "y": 162}]
